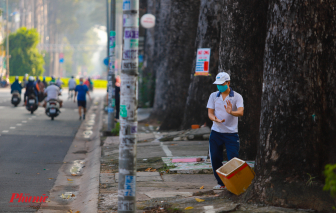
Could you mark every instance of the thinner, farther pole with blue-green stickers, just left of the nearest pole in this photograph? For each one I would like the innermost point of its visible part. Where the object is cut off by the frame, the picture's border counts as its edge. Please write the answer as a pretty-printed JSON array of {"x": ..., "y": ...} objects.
[{"x": 111, "y": 73}]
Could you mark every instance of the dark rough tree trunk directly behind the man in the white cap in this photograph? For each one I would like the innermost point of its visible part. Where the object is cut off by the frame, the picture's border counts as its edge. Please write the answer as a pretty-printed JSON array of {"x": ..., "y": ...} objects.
[{"x": 241, "y": 55}]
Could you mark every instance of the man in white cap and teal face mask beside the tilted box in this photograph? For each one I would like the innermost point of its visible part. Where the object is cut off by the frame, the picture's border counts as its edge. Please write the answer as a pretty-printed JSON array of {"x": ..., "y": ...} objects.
[{"x": 224, "y": 108}]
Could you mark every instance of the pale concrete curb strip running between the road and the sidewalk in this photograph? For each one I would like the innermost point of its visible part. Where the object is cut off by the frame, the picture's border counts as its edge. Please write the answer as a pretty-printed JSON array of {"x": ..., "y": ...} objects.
[{"x": 79, "y": 175}]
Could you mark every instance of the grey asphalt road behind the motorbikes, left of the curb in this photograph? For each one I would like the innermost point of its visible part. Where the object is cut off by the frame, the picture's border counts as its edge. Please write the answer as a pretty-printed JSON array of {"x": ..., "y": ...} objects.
[{"x": 32, "y": 149}]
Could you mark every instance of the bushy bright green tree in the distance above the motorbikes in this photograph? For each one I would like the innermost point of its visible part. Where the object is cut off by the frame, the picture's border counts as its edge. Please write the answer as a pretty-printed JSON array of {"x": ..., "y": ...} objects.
[{"x": 25, "y": 57}]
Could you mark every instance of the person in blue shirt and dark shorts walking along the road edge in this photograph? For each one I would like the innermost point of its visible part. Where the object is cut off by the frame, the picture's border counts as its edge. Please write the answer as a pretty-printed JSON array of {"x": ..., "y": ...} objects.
[{"x": 82, "y": 90}]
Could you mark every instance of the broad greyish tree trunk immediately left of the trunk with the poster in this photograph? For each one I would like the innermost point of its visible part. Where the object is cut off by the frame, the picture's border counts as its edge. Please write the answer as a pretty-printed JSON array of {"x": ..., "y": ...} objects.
[{"x": 177, "y": 49}]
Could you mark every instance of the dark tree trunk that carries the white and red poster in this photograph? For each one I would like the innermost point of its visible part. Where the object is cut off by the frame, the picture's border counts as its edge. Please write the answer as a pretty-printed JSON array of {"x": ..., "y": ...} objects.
[{"x": 200, "y": 88}]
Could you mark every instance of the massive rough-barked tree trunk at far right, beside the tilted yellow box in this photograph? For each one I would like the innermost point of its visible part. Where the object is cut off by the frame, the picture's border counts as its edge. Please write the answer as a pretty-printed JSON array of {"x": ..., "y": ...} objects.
[{"x": 297, "y": 130}]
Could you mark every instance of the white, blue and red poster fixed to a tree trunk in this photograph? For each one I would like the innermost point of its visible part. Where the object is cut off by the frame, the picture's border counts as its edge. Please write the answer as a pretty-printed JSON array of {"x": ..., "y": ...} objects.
[{"x": 203, "y": 61}]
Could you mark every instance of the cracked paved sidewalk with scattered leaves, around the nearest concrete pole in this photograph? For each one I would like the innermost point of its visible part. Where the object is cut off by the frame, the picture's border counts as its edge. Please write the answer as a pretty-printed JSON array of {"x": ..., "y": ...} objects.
[{"x": 162, "y": 188}]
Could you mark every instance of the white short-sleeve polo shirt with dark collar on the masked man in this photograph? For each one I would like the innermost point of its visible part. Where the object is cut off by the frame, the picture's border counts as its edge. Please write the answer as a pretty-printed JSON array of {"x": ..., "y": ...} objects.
[{"x": 216, "y": 102}]
